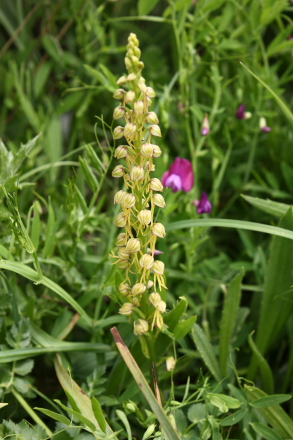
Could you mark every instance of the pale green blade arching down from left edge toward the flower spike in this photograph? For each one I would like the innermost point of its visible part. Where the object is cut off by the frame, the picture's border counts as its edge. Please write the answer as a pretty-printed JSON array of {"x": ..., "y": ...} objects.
[{"x": 32, "y": 275}]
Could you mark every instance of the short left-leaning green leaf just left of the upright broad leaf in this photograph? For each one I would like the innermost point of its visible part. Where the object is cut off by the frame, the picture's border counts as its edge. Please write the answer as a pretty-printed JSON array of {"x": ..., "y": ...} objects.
[{"x": 206, "y": 351}]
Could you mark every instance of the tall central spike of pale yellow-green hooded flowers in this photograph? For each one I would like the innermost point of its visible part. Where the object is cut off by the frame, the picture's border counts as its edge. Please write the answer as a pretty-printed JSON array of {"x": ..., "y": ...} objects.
[{"x": 136, "y": 245}]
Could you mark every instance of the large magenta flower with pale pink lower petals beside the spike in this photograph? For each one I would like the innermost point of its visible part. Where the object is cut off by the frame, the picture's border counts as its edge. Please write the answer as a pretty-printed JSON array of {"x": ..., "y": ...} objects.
[{"x": 180, "y": 176}]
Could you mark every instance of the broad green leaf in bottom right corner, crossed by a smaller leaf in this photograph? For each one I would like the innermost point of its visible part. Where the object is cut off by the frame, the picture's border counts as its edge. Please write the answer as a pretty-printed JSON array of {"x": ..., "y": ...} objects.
[{"x": 274, "y": 415}]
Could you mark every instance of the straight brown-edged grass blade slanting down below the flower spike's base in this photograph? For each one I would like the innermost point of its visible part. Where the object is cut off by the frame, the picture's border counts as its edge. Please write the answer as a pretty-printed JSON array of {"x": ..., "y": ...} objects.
[{"x": 144, "y": 386}]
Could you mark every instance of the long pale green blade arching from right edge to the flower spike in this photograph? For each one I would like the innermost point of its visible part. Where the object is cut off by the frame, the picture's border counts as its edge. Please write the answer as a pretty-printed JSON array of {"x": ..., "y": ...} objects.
[{"x": 236, "y": 224}]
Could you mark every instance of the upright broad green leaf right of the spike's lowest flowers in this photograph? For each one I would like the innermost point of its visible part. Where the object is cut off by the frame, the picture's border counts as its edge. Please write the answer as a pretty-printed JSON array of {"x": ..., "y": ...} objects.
[{"x": 229, "y": 315}]
